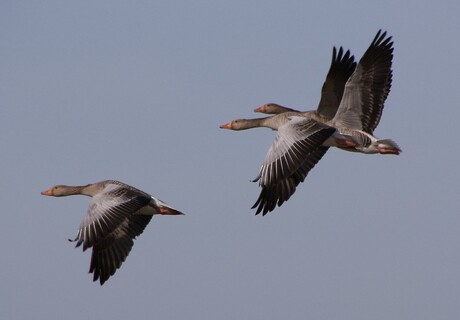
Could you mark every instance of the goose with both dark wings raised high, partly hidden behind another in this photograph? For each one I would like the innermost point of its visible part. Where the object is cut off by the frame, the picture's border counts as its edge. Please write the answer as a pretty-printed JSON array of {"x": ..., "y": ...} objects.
[{"x": 364, "y": 93}]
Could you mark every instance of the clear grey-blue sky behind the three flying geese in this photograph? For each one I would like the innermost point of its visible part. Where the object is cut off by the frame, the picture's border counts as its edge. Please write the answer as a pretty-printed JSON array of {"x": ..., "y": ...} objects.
[{"x": 136, "y": 91}]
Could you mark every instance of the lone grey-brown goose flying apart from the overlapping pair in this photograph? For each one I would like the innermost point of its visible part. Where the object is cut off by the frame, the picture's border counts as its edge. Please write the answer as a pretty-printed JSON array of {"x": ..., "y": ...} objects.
[{"x": 117, "y": 214}]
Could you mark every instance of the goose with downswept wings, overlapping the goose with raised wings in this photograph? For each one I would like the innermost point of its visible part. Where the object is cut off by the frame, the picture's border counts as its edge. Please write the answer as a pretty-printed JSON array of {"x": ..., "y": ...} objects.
[{"x": 299, "y": 144}]
